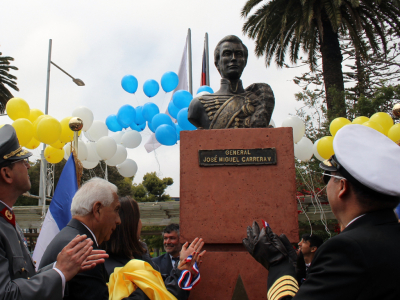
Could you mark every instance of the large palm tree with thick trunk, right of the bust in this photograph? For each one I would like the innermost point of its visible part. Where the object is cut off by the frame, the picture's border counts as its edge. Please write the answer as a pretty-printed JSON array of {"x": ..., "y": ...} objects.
[{"x": 313, "y": 26}]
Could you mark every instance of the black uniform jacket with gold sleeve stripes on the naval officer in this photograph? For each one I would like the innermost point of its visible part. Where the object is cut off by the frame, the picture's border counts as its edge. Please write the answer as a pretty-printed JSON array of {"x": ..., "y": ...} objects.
[{"x": 362, "y": 262}]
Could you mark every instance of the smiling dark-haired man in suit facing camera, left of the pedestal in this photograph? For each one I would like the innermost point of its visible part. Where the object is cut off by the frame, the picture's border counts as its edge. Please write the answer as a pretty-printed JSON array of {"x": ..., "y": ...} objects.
[{"x": 170, "y": 260}]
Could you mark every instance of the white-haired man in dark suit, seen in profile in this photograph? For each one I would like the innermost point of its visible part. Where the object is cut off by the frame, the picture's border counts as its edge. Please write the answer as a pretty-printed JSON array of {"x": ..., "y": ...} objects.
[{"x": 95, "y": 213}]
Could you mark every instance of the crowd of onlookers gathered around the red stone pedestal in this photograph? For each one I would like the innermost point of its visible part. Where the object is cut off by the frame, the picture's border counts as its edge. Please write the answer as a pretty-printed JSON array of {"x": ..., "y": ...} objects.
[{"x": 99, "y": 255}]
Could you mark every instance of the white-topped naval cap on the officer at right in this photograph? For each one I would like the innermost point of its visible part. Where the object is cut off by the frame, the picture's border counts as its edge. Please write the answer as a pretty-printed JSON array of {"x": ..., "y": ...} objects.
[{"x": 368, "y": 156}]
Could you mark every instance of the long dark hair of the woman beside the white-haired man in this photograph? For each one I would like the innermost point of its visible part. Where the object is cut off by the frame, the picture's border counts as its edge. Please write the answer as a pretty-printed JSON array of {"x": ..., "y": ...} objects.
[{"x": 125, "y": 240}]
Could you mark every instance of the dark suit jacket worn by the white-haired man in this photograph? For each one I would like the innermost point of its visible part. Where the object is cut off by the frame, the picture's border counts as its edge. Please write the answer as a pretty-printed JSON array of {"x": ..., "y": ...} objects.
[{"x": 87, "y": 285}]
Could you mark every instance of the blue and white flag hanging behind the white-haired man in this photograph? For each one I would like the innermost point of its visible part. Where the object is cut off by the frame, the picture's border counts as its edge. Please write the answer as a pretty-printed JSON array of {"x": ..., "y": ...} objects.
[{"x": 59, "y": 213}]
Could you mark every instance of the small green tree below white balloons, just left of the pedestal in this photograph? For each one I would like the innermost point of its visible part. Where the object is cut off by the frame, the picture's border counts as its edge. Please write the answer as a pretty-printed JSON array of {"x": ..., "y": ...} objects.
[{"x": 152, "y": 189}]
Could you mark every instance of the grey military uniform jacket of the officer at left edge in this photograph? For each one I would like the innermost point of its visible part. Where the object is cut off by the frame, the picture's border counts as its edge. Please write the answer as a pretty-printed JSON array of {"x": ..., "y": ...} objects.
[{"x": 18, "y": 278}]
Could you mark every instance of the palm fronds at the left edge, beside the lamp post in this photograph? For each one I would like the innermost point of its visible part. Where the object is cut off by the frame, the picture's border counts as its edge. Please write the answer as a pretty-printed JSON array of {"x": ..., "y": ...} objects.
[{"x": 6, "y": 79}]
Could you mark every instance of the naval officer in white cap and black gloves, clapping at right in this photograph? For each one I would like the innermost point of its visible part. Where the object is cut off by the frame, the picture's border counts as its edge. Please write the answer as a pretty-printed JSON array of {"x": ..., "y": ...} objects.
[{"x": 362, "y": 262}]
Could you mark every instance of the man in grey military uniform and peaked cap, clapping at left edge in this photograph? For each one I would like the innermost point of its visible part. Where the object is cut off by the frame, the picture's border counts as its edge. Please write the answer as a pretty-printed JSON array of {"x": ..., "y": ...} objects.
[{"x": 18, "y": 278}]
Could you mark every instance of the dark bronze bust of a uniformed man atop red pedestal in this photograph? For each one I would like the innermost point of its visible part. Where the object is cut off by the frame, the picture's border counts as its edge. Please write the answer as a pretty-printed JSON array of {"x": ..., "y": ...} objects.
[{"x": 232, "y": 106}]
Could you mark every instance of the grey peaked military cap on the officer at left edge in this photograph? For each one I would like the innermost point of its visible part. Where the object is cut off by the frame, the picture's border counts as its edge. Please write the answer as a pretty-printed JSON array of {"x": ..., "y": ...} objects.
[{"x": 10, "y": 149}]
